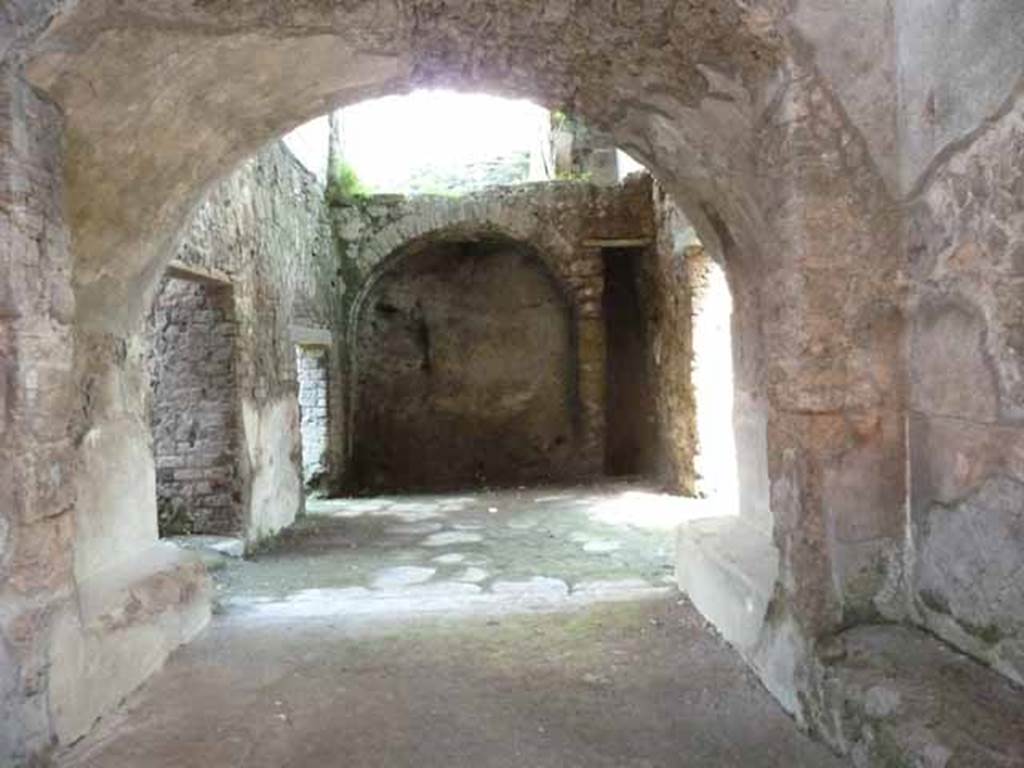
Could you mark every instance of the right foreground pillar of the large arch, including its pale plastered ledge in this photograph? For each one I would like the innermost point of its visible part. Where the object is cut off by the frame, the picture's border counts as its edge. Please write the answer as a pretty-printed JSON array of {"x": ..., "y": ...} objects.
[{"x": 820, "y": 373}]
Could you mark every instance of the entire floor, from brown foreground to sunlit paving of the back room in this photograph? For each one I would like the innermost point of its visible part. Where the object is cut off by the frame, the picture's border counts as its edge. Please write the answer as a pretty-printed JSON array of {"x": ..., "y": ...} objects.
[{"x": 519, "y": 629}]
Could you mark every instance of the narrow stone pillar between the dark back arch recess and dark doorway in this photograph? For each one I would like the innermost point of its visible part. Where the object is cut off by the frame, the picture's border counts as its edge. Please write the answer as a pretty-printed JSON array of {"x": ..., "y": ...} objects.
[{"x": 586, "y": 282}]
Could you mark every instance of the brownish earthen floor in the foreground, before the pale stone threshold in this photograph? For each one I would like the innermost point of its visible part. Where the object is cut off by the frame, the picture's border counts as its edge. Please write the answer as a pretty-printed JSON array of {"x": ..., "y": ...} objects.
[{"x": 639, "y": 685}]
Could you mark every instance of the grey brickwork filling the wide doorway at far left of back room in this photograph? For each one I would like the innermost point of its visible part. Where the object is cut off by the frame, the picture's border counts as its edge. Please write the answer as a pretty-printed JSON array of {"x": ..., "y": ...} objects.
[{"x": 195, "y": 409}]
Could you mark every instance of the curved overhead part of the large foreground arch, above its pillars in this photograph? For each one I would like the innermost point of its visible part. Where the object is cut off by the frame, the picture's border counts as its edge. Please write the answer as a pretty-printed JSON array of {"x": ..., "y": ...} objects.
[{"x": 162, "y": 99}]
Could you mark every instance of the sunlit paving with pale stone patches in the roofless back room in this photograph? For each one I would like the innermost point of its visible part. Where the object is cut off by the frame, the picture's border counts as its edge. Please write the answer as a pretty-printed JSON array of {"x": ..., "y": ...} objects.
[{"x": 488, "y": 551}]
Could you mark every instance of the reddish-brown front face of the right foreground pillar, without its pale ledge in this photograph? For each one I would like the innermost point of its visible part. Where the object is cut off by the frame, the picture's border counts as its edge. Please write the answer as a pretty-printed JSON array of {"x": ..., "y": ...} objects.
[{"x": 834, "y": 364}]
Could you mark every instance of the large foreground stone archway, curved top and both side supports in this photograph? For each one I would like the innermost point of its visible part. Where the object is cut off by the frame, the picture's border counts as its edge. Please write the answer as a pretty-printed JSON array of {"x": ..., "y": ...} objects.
[{"x": 721, "y": 100}]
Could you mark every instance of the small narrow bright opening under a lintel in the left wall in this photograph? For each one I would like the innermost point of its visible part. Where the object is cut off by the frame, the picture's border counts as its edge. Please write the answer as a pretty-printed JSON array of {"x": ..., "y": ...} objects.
[{"x": 312, "y": 365}]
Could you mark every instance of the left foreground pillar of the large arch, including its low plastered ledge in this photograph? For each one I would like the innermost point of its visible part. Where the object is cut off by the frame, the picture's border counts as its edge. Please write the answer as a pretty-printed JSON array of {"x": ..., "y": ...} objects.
[{"x": 76, "y": 467}]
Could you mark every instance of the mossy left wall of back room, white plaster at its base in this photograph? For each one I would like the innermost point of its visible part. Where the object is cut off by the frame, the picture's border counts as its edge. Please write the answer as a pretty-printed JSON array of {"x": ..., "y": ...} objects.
[{"x": 266, "y": 230}]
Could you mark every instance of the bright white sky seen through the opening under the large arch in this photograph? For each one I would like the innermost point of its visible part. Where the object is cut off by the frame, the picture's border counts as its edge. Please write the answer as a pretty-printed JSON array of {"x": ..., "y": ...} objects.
[{"x": 387, "y": 139}]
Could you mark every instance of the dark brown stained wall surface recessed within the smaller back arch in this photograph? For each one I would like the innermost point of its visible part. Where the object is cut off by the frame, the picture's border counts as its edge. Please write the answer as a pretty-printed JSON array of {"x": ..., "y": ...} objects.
[{"x": 466, "y": 372}]
